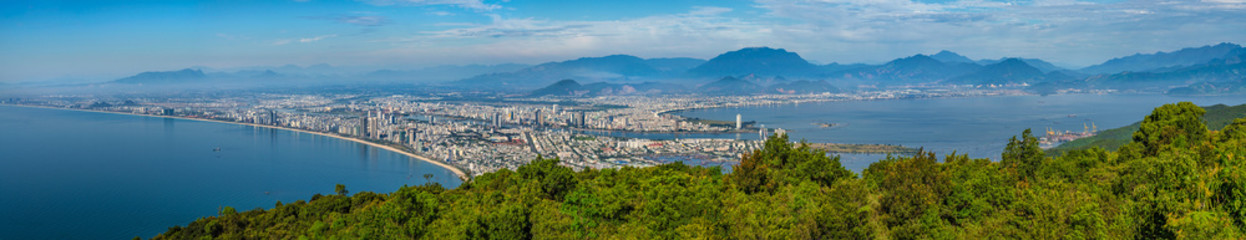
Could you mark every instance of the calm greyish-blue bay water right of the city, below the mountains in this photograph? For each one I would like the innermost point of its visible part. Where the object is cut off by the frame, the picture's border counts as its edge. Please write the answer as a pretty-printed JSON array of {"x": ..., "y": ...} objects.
[{"x": 975, "y": 126}]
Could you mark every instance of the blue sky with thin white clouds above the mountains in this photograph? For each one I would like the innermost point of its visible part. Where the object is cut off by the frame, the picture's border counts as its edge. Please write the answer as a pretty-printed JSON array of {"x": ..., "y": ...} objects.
[{"x": 52, "y": 40}]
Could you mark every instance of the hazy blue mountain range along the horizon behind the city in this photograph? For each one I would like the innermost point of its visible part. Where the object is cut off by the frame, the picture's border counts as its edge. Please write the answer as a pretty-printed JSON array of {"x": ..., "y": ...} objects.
[{"x": 1207, "y": 70}]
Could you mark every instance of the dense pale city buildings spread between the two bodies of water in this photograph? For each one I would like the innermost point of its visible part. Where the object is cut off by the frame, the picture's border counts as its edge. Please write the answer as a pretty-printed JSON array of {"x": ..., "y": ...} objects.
[{"x": 485, "y": 136}]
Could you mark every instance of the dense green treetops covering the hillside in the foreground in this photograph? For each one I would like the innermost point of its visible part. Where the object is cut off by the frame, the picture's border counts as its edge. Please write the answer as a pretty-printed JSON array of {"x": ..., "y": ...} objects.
[{"x": 1174, "y": 181}]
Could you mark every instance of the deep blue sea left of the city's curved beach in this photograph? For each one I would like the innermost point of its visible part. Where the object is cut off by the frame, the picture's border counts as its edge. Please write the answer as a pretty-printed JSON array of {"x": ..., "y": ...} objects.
[{"x": 68, "y": 175}]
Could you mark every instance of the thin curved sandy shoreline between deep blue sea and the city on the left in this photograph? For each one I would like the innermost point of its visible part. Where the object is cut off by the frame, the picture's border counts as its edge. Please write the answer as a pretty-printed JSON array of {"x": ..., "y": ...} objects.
[{"x": 463, "y": 176}]
